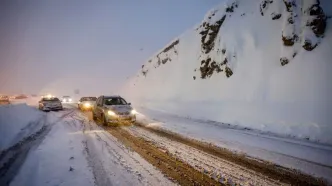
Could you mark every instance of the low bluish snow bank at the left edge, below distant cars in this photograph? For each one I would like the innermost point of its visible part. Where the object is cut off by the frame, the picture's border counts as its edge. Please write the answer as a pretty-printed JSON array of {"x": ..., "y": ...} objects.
[{"x": 17, "y": 122}]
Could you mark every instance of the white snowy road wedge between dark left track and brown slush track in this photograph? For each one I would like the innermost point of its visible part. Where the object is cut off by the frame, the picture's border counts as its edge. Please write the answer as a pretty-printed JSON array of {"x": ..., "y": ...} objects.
[{"x": 78, "y": 152}]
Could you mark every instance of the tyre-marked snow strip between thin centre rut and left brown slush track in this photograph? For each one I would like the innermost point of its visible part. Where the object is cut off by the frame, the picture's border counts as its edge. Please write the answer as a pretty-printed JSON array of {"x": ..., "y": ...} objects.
[{"x": 117, "y": 154}]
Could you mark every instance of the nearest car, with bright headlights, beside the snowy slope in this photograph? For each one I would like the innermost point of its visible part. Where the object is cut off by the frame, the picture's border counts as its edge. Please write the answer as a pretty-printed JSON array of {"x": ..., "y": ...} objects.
[{"x": 113, "y": 109}]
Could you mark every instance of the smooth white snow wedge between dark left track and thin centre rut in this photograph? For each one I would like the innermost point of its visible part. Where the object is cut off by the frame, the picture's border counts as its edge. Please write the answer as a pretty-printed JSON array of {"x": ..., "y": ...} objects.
[{"x": 58, "y": 160}]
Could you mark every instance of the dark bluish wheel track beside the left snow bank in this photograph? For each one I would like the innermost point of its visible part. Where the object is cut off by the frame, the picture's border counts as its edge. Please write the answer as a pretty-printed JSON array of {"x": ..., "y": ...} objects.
[{"x": 12, "y": 158}]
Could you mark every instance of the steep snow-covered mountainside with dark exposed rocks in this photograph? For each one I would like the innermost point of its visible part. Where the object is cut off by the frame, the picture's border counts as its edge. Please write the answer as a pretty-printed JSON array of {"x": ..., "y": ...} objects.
[{"x": 260, "y": 64}]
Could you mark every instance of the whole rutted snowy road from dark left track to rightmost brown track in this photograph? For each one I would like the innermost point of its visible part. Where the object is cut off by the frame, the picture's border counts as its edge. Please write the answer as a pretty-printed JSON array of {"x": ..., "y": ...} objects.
[{"x": 71, "y": 149}]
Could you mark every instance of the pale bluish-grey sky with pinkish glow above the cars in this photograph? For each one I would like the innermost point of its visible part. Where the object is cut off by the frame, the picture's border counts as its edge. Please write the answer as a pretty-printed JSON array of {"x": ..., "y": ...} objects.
[{"x": 57, "y": 46}]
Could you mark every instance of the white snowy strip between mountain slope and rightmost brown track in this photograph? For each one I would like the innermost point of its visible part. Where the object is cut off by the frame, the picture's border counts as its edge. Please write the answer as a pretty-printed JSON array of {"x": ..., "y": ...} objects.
[{"x": 309, "y": 157}]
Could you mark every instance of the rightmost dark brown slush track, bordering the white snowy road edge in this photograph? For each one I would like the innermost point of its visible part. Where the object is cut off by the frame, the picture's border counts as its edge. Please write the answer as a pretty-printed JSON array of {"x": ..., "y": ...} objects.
[{"x": 274, "y": 171}]
